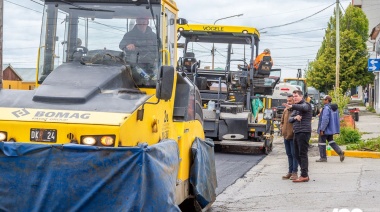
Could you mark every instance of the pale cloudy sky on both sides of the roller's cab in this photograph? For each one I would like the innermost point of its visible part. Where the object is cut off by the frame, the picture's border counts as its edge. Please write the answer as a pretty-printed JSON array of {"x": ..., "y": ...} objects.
[{"x": 292, "y": 45}]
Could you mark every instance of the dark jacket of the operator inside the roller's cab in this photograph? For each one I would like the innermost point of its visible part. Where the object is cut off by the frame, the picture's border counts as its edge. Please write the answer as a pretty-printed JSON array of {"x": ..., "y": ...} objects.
[{"x": 145, "y": 43}]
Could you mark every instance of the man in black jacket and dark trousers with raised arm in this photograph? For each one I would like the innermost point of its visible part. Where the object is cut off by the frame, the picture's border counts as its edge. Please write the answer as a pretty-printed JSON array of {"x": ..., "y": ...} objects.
[{"x": 301, "y": 118}]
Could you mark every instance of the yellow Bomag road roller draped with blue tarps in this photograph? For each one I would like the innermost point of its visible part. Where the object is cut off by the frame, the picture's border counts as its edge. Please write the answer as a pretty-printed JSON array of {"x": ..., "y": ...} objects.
[{"x": 111, "y": 125}]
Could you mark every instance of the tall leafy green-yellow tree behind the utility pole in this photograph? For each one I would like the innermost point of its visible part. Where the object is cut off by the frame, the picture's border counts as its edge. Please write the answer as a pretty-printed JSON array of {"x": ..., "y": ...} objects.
[{"x": 353, "y": 53}]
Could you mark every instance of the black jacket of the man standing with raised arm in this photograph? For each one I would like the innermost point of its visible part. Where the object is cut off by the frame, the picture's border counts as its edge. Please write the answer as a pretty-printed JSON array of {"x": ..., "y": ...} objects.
[{"x": 304, "y": 110}]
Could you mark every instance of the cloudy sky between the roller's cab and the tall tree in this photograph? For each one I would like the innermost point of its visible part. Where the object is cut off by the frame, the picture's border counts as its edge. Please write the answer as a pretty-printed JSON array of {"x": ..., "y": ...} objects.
[{"x": 292, "y": 46}]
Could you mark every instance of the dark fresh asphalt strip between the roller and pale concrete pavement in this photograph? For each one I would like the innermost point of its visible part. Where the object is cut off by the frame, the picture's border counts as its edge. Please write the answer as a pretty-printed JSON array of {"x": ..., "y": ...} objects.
[{"x": 230, "y": 167}]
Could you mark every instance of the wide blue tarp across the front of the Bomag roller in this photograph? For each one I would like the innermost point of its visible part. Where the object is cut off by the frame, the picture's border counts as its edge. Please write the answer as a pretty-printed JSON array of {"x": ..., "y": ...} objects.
[{"x": 36, "y": 177}]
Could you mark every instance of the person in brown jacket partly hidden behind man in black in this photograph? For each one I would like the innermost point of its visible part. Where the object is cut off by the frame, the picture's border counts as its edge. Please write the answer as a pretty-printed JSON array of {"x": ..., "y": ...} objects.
[{"x": 287, "y": 132}]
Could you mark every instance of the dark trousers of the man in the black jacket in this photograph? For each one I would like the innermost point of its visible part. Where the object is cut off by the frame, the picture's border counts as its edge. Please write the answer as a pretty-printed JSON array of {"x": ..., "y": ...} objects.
[{"x": 301, "y": 147}]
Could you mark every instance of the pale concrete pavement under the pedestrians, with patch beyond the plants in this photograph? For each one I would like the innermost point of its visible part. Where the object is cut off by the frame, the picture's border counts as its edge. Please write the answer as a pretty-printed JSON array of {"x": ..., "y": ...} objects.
[{"x": 335, "y": 185}]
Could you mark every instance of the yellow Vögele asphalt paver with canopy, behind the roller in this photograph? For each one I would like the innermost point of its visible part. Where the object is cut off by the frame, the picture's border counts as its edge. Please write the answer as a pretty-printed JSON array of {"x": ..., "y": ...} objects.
[{"x": 230, "y": 87}]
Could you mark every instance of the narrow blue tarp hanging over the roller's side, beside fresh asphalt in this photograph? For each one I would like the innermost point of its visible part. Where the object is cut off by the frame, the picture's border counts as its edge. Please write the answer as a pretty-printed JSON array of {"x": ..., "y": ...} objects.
[{"x": 203, "y": 172}]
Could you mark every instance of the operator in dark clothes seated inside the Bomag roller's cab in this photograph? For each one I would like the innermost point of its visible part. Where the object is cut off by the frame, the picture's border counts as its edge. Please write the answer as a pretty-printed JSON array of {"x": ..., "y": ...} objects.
[{"x": 141, "y": 51}]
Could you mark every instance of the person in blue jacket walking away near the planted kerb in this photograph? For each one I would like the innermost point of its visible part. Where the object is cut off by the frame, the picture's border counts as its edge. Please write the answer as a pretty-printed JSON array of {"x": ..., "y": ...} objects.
[{"x": 328, "y": 126}]
